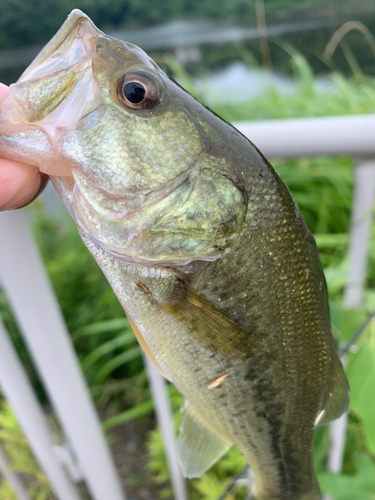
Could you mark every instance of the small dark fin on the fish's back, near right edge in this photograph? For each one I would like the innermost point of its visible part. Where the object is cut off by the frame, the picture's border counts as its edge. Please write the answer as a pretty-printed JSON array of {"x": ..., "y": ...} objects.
[{"x": 338, "y": 399}]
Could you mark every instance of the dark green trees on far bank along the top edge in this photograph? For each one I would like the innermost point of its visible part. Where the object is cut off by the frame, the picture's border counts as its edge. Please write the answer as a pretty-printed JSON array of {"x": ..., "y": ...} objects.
[{"x": 24, "y": 23}]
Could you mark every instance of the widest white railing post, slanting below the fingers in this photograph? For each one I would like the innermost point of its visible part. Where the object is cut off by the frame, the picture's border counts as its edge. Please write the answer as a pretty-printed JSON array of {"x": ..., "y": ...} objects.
[{"x": 37, "y": 312}]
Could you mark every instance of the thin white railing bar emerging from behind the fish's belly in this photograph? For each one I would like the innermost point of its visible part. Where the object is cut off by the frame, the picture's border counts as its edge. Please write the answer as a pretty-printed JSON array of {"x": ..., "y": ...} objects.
[{"x": 164, "y": 418}]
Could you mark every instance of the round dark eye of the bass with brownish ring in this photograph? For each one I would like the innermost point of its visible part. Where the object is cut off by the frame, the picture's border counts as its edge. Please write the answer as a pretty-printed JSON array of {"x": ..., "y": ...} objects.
[{"x": 138, "y": 91}]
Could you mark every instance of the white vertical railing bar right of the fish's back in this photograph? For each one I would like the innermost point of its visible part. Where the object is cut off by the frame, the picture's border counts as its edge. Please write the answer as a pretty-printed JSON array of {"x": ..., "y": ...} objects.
[{"x": 364, "y": 196}]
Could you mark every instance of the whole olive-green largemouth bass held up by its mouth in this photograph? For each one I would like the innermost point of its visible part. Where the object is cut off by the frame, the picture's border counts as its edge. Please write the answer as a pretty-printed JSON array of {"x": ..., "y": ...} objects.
[{"x": 202, "y": 243}]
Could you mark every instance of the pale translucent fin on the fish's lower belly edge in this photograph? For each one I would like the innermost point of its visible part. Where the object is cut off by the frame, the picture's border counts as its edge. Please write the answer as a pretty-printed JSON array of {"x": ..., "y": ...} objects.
[{"x": 198, "y": 446}]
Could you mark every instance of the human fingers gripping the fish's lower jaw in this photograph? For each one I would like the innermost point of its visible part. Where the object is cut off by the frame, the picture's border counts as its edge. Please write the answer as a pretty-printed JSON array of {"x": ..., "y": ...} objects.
[{"x": 19, "y": 183}]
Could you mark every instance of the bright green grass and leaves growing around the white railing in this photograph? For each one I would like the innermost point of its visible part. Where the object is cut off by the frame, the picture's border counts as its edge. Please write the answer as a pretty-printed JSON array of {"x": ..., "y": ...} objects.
[{"x": 109, "y": 355}]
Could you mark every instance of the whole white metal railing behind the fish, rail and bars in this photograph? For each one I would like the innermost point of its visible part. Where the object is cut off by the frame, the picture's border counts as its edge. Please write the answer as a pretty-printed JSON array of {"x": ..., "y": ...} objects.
[{"x": 23, "y": 277}]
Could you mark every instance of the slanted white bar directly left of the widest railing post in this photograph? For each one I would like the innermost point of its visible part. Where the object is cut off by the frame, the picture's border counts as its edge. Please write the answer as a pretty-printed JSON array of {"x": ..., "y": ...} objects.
[{"x": 19, "y": 392}]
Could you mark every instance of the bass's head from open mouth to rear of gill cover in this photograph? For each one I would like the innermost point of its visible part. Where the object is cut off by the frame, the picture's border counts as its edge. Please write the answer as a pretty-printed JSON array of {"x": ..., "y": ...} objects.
[{"x": 129, "y": 151}]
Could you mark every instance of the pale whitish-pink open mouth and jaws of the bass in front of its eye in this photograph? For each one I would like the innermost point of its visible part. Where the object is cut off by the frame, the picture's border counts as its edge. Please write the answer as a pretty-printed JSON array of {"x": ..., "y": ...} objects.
[{"x": 32, "y": 114}]
